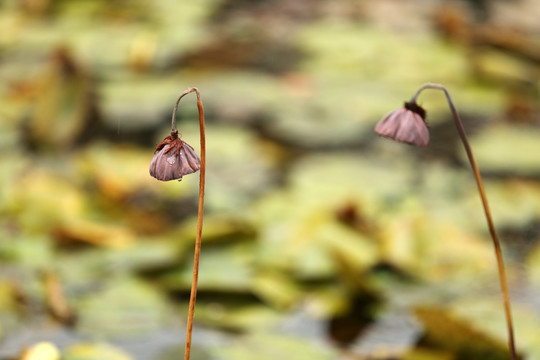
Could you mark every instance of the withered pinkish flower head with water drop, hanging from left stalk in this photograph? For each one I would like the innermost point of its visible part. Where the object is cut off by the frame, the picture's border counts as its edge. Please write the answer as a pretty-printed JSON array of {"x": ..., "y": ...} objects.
[{"x": 173, "y": 159}]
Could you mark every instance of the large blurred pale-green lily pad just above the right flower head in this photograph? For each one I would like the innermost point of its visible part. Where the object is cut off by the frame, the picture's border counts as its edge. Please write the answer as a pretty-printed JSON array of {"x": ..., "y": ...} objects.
[{"x": 355, "y": 50}]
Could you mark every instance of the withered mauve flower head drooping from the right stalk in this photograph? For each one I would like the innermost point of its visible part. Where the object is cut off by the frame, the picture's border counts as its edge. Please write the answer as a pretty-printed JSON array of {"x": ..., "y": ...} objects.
[{"x": 406, "y": 125}]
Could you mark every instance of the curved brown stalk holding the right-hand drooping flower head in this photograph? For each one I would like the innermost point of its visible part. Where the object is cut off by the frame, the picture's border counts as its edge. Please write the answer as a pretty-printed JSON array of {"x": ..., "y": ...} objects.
[{"x": 487, "y": 212}]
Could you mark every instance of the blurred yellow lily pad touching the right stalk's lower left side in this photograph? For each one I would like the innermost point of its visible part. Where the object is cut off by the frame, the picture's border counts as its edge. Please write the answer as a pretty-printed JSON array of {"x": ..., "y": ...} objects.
[{"x": 432, "y": 249}]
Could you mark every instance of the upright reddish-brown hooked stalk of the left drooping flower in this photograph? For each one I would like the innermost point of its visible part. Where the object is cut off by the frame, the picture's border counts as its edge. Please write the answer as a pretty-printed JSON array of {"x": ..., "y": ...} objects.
[{"x": 196, "y": 257}]
